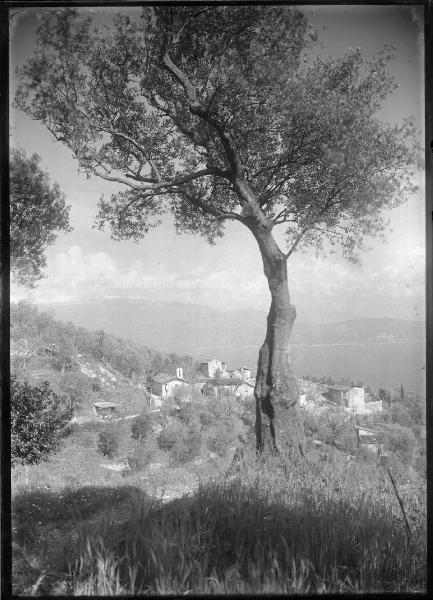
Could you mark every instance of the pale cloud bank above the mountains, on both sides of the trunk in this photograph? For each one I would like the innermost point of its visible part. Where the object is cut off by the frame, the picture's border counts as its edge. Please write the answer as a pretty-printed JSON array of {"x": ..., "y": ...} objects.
[{"x": 321, "y": 289}]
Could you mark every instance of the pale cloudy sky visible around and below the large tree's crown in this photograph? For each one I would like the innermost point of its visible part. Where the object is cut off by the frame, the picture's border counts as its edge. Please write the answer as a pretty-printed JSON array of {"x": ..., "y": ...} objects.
[{"x": 86, "y": 264}]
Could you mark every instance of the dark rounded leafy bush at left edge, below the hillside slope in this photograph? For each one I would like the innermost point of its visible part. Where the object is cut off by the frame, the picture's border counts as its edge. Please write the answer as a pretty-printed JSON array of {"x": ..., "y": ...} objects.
[{"x": 38, "y": 420}]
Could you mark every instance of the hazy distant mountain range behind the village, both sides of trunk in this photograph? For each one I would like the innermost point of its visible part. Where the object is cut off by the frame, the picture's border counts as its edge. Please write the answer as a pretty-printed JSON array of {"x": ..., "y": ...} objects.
[{"x": 192, "y": 328}]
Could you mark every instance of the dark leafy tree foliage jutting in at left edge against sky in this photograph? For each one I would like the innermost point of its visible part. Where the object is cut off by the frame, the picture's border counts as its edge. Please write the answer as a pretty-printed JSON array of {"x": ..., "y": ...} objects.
[{"x": 37, "y": 212}]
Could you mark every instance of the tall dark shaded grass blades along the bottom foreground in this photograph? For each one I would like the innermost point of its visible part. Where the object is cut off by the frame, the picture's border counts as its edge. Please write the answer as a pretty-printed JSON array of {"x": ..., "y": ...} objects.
[{"x": 233, "y": 539}]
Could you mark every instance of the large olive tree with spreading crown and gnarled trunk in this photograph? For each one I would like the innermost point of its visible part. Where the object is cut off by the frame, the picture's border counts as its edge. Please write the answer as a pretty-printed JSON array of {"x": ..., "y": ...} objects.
[{"x": 218, "y": 114}]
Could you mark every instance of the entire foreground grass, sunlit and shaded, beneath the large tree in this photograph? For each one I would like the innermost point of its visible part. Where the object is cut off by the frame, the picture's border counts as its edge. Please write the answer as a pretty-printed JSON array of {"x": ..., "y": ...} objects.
[{"x": 279, "y": 525}]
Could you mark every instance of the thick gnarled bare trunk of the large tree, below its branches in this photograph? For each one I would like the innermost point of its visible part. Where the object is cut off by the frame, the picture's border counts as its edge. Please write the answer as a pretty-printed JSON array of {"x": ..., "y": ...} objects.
[{"x": 276, "y": 391}]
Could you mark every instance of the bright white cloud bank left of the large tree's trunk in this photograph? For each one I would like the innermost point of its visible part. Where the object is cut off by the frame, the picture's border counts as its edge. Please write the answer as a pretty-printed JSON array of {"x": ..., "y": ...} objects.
[{"x": 75, "y": 276}]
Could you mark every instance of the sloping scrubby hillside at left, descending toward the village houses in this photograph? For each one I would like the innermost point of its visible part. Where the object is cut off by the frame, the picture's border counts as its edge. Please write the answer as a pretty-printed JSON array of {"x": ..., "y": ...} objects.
[{"x": 83, "y": 365}]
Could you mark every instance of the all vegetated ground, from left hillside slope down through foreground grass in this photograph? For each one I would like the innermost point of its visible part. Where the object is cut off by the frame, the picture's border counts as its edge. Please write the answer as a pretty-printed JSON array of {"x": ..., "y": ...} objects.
[{"x": 177, "y": 501}]
